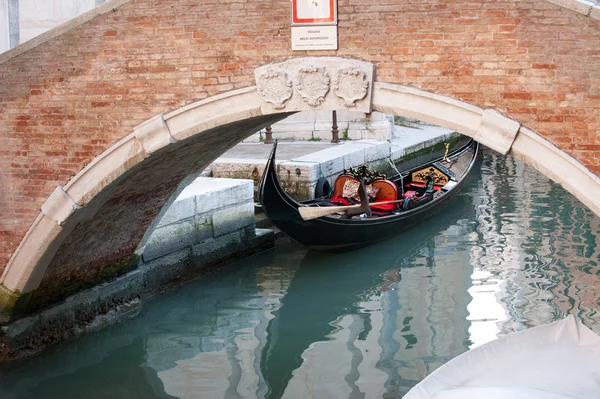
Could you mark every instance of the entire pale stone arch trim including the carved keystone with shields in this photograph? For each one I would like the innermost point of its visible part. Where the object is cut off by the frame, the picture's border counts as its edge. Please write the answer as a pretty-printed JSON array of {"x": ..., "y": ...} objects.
[{"x": 230, "y": 117}]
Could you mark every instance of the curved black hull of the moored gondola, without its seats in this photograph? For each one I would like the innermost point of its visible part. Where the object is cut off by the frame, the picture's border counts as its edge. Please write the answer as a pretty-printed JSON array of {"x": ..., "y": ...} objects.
[{"x": 335, "y": 234}]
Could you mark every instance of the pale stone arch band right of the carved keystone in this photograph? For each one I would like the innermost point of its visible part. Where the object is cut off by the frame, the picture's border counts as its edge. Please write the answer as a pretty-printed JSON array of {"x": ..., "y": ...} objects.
[{"x": 495, "y": 131}]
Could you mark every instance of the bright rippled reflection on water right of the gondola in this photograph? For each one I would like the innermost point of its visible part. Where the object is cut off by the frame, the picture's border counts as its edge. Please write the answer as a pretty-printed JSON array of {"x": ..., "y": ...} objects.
[{"x": 537, "y": 276}]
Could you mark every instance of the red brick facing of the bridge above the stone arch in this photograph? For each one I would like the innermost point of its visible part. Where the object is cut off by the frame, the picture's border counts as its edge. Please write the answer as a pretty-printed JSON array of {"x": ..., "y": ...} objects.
[{"x": 67, "y": 100}]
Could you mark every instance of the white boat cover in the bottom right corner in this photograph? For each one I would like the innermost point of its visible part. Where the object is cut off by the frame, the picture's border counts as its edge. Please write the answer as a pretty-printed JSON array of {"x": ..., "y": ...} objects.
[{"x": 555, "y": 361}]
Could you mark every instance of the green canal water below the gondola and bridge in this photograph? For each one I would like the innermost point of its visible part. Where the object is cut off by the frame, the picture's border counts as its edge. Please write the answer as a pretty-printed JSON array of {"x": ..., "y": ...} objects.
[{"x": 513, "y": 251}]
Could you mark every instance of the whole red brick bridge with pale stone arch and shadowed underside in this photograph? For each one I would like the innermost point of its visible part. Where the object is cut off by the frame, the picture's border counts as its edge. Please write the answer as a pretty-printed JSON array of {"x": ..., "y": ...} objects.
[{"x": 101, "y": 118}]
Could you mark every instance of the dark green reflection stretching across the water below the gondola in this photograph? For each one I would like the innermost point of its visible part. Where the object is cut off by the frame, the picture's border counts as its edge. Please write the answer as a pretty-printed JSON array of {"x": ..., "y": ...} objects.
[{"x": 326, "y": 287}]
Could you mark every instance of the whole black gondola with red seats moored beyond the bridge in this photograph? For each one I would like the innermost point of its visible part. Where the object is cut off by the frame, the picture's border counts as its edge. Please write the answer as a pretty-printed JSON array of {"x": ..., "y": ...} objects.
[{"x": 422, "y": 193}]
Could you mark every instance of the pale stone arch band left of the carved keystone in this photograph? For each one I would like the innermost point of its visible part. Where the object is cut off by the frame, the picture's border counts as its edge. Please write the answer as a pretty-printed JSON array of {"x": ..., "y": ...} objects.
[{"x": 85, "y": 195}]
